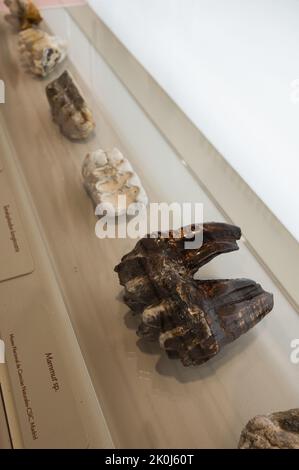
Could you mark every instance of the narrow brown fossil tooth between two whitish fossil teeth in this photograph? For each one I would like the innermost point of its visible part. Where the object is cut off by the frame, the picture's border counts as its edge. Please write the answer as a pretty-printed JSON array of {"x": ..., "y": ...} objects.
[{"x": 69, "y": 108}]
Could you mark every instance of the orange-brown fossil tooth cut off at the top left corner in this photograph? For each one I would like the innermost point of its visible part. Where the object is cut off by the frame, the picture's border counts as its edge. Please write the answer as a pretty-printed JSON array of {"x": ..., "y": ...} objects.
[{"x": 24, "y": 13}]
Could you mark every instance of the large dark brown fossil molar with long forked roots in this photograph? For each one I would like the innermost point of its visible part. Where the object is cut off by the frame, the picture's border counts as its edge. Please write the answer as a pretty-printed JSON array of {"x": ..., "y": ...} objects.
[{"x": 192, "y": 319}]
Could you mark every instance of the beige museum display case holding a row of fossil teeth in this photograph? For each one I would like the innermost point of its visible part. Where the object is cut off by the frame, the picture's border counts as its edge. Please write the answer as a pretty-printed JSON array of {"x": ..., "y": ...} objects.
[{"x": 79, "y": 106}]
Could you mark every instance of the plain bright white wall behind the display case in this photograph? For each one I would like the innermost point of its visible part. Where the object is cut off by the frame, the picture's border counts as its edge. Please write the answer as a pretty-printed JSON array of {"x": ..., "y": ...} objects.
[{"x": 229, "y": 65}]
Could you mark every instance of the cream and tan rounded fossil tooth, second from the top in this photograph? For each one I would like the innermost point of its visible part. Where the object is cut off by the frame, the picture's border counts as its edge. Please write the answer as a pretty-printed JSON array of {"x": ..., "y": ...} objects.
[{"x": 41, "y": 52}]
